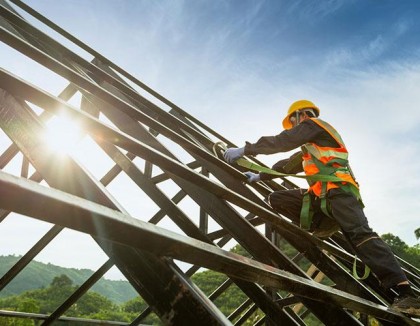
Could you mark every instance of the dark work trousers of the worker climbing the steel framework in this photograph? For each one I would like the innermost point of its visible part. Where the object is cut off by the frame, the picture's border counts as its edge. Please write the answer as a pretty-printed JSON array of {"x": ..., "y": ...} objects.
[{"x": 348, "y": 213}]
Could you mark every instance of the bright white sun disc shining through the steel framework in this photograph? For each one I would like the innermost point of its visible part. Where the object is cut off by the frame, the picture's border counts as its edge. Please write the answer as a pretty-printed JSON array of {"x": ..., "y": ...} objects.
[{"x": 62, "y": 134}]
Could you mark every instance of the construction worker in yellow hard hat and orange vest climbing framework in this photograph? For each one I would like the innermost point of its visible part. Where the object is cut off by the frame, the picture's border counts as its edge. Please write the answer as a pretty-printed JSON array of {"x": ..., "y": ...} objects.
[{"x": 330, "y": 203}]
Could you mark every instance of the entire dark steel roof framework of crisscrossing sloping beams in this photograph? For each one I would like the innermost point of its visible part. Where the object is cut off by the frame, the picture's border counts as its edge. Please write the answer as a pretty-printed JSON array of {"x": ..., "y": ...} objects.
[{"x": 172, "y": 163}]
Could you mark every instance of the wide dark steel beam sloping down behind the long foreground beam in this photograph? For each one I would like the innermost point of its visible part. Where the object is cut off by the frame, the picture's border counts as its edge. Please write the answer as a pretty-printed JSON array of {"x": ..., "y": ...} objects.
[{"x": 18, "y": 124}]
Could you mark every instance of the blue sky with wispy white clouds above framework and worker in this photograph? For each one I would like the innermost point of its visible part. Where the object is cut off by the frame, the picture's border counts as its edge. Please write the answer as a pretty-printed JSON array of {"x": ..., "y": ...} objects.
[{"x": 237, "y": 66}]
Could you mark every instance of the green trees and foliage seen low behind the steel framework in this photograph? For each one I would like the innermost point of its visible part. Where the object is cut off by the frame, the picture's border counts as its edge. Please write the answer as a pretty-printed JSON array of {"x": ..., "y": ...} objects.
[{"x": 93, "y": 305}]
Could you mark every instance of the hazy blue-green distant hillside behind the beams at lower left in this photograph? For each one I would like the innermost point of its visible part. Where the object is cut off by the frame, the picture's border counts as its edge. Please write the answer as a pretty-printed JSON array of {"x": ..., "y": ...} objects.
[{"x": 39, "y": 275}]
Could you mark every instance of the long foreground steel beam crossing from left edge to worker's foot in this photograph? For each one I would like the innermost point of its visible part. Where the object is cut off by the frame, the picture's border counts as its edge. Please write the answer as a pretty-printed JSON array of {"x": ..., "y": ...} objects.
[{"x": 85, "y": 216}]
